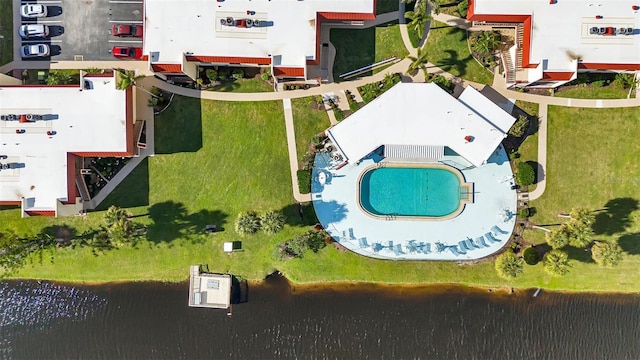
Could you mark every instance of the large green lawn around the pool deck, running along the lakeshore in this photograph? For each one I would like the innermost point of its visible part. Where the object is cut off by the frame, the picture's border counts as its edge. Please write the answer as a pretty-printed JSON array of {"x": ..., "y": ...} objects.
[{"x": 217, "y": 159}]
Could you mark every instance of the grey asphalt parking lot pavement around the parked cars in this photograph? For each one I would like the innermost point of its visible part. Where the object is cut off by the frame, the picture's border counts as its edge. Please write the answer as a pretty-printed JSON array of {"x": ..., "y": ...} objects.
[{"x": 81, "y": 30}]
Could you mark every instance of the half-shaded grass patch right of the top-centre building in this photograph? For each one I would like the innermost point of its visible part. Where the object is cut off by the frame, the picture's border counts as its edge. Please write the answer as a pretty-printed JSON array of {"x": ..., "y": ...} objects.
[{"x": 362, "y": 47}]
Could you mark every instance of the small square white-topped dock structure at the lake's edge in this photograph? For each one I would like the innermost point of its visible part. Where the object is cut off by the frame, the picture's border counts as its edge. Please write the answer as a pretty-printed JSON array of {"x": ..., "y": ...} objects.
[{"x": 208, "y": 289}]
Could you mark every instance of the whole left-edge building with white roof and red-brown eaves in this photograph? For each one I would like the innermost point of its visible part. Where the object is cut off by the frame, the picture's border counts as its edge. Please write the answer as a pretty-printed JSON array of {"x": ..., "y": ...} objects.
[{"x": 46, "y": 131}]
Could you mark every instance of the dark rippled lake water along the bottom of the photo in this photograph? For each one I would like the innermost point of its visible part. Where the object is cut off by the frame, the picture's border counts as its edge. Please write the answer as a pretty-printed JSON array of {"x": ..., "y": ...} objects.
[{"x": 40, "y": 320}]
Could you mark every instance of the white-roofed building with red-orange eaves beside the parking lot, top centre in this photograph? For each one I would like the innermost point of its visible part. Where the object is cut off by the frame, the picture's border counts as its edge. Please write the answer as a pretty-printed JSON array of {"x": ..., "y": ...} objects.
[{"x": 283, "y": 34}]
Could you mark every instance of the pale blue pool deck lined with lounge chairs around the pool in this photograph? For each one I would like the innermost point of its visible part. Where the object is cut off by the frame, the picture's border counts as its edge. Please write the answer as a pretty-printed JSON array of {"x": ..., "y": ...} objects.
[{"x": 494, "y": 205}]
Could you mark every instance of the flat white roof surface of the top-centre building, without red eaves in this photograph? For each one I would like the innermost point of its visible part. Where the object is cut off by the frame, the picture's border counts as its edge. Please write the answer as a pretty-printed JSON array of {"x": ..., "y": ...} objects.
[{"x": 176, "y": 27}]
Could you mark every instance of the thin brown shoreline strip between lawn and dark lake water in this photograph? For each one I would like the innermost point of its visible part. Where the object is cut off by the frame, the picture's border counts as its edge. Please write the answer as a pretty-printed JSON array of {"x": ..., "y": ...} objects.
[{"x": 294, "y": 288}]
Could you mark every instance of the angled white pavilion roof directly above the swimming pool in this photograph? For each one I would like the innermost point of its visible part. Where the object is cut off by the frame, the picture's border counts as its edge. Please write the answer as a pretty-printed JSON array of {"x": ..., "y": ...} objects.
[{"x": 424, "y": 114}]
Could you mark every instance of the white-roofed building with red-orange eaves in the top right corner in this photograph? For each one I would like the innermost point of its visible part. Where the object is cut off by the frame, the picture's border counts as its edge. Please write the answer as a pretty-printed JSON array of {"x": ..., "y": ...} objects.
[{"x": 556, "y": 39}]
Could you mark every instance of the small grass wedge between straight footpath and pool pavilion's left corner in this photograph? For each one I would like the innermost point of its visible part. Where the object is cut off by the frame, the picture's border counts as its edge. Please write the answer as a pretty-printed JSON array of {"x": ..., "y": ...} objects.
[{"x": 308, "y": 121}]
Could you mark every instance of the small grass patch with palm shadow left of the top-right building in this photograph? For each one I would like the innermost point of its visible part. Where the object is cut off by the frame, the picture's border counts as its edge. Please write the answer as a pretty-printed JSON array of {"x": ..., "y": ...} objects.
[{"x": 447, "y": 48}]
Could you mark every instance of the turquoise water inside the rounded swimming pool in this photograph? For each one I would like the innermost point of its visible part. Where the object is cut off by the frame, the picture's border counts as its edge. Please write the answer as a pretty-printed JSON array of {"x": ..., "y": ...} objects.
[{"x": 410, "y": 191}]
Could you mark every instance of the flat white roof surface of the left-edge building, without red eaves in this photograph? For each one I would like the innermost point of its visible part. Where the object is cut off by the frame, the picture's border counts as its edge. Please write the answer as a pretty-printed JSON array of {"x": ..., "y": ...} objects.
[{"x": 84, "y": 120}]
